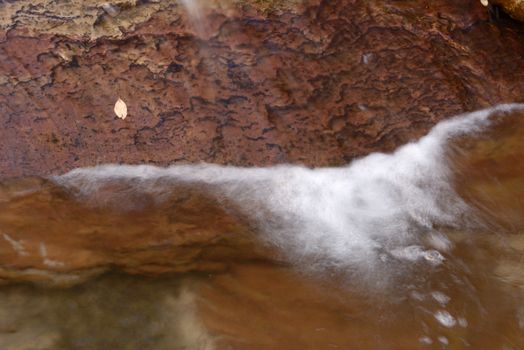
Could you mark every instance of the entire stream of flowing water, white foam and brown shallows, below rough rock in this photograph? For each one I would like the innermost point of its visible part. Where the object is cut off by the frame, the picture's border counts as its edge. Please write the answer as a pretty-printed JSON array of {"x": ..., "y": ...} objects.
[{"x": 421, "y": 248}]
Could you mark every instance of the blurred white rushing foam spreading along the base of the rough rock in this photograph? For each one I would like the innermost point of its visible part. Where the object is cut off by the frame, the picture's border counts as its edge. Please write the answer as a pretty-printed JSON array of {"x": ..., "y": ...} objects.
[{"x": 377, "y": 210}]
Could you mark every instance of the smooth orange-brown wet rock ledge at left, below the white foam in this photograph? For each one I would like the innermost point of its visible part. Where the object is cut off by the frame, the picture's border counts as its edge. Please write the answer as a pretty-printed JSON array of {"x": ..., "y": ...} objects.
[{"x": 48, "y": 236}]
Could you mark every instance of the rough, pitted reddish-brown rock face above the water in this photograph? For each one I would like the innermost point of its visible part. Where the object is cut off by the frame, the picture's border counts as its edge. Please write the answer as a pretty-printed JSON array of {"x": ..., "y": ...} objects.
[{"x": 311, "y": 82}]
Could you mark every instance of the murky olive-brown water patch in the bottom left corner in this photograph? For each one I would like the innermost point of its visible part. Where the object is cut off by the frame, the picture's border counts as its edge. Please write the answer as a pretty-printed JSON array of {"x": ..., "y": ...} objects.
[{"x": 112, "y": 312}]
